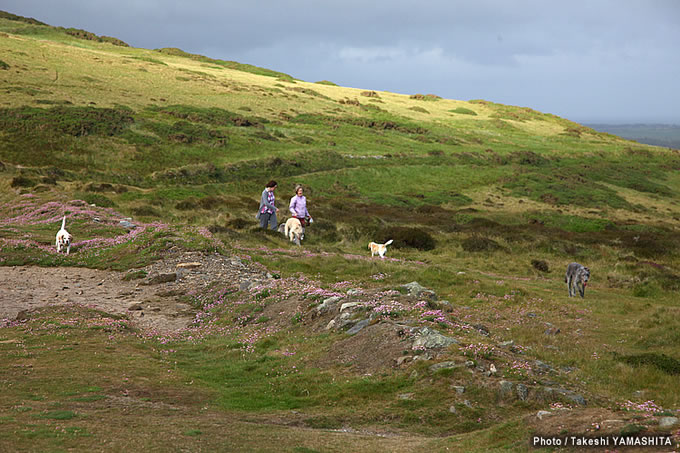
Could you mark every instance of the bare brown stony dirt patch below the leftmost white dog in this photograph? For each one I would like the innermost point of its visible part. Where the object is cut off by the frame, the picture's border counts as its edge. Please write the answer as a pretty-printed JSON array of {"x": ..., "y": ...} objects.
[{"x": 154, "y": 302}]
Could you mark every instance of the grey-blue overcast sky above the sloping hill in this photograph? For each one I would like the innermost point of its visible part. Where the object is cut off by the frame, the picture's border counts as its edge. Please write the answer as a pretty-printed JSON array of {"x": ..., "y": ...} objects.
[{"x": 586, "y": 60}]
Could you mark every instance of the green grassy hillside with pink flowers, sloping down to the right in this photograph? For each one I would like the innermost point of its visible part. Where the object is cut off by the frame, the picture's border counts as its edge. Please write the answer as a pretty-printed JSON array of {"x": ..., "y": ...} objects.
[{"x": 487, "y": 204}]
